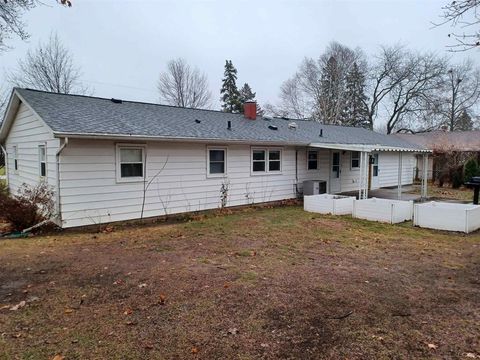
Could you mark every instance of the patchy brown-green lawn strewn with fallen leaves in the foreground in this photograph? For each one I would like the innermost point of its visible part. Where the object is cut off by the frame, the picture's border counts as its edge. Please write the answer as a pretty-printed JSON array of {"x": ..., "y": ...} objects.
[{"x": 273, "y": 284}]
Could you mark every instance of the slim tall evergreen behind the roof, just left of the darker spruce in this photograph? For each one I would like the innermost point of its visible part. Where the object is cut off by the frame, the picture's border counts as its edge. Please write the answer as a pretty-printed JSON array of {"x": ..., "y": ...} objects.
[{"x": 330, "y": 83}]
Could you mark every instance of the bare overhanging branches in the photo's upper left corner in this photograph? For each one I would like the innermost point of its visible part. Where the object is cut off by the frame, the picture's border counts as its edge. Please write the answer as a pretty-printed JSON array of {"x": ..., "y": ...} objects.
[{"x": 11, "y": 12}]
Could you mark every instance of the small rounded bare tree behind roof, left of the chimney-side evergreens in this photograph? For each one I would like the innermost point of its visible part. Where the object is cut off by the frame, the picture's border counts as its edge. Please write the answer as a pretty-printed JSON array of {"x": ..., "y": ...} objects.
[{"x": 180, "y": 85}]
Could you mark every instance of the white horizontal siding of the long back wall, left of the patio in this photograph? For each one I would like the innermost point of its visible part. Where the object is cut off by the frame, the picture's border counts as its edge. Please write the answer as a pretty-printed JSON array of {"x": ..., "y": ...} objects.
[{"x": 90, "y": 193}]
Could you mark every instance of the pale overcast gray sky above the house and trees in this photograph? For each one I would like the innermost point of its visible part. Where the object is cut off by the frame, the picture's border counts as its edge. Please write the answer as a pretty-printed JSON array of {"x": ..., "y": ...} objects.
[{"x": 122, "y": 46}]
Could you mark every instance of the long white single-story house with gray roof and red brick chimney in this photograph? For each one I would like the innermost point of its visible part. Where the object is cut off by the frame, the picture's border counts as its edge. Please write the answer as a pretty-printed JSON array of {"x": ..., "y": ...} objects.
[{"x": 112, "y": 160}]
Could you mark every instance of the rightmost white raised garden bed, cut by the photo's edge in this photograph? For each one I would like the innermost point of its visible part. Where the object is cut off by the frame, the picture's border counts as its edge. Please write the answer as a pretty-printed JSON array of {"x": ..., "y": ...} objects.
[{"x": 447, "y": 216}]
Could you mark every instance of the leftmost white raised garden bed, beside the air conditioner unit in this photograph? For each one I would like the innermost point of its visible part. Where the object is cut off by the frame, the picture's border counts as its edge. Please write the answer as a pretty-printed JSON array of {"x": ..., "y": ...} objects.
[{"x": 329, "y": 204}]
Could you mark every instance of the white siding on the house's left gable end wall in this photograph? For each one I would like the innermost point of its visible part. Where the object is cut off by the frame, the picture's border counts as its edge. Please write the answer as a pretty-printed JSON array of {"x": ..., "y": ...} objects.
[{"x": 27, "y": 133}]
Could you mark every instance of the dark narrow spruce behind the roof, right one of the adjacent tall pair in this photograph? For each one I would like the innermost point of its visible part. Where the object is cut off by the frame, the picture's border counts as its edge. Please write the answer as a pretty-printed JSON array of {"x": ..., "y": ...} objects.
[{"x": 355, "y": 112}]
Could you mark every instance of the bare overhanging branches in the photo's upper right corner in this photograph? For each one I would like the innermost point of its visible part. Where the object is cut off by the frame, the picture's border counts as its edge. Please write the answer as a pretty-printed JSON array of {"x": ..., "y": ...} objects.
[{"x": 466, "y": 15}]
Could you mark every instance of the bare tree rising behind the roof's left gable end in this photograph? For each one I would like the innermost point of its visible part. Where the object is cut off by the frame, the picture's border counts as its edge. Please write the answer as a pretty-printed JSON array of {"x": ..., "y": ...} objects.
[{"x": 49, "y": 67}]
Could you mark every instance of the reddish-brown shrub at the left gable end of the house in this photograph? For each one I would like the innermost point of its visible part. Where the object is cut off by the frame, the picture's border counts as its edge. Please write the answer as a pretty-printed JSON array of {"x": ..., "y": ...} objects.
[{"x": 28, "y": 207}]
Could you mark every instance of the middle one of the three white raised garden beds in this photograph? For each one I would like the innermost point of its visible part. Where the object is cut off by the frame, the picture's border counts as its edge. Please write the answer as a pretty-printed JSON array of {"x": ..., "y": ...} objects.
[{"x": 383, "y": 210}]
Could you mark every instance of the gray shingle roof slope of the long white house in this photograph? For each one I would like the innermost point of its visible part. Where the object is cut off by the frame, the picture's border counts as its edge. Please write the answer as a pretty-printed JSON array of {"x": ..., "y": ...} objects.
[{"x": 73, "y": 114}]
